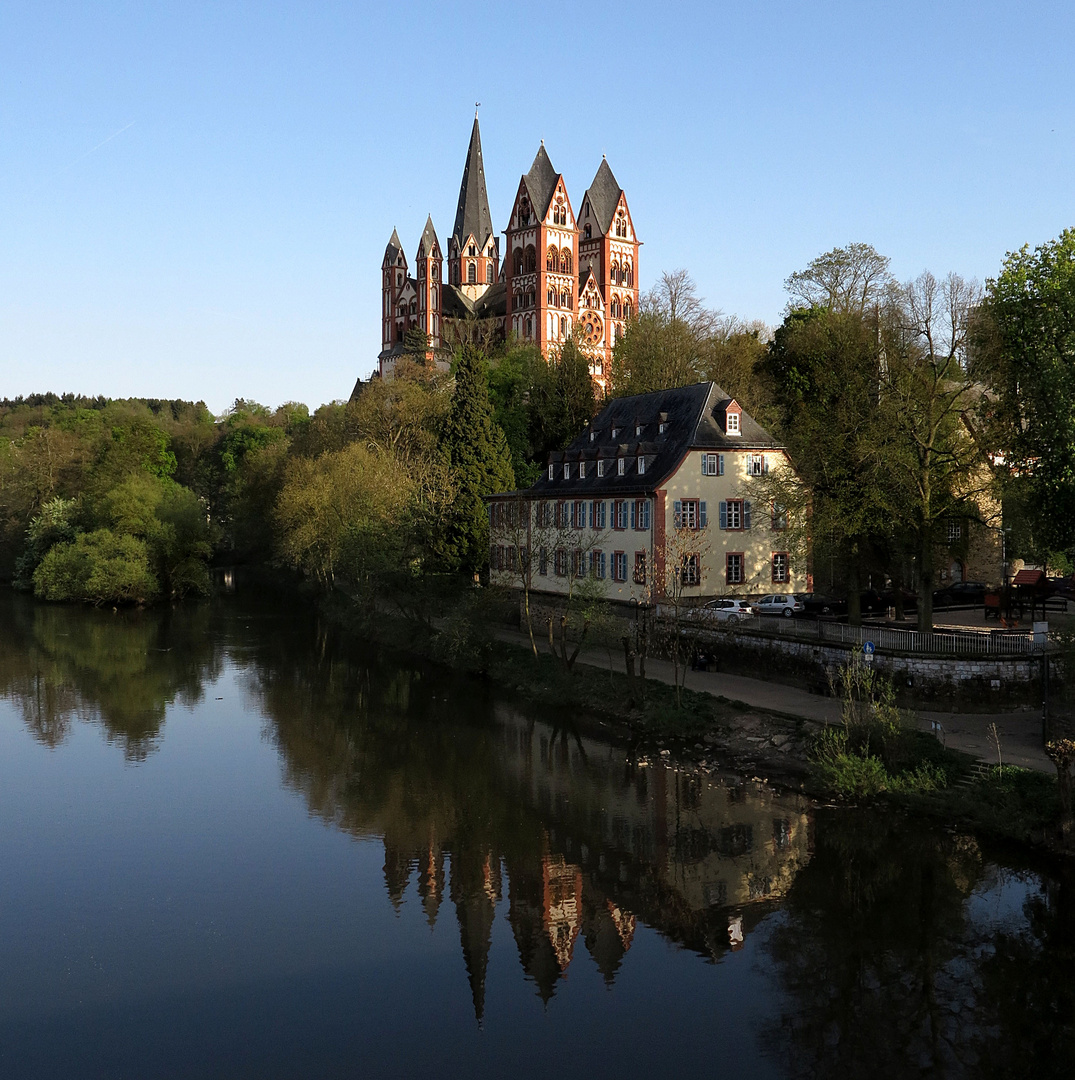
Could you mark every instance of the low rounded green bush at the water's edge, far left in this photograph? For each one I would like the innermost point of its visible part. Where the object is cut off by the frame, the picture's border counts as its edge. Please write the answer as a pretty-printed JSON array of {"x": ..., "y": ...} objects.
[{"x": 98, "y": 568}]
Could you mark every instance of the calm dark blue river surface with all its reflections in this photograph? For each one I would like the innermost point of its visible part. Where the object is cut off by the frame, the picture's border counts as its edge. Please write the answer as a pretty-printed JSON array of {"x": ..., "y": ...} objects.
[{"x": 235, "y": 843}]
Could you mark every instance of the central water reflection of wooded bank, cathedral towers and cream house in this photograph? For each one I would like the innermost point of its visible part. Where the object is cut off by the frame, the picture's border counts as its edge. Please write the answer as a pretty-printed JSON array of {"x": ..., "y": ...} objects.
[{"x": 477, "y": 803}]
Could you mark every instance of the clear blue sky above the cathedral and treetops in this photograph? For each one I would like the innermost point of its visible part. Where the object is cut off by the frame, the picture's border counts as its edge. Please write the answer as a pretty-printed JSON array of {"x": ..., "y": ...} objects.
[{"x": 195, "y": 198}]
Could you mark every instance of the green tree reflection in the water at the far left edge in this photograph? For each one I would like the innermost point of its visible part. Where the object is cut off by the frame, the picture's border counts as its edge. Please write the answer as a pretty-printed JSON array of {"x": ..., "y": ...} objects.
[{"x": 123, "y": 670}]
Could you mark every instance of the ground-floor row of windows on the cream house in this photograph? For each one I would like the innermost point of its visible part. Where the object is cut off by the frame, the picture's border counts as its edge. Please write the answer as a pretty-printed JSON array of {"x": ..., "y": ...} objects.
[{"x": 597, "y": 564}]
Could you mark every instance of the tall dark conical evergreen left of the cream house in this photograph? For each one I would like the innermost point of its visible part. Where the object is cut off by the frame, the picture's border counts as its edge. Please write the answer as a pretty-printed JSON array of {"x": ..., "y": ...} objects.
[{"x": 480, "y": 463}]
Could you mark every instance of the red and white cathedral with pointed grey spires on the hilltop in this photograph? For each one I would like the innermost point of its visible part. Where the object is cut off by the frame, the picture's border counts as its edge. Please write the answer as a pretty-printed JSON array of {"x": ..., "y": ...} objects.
[{"x": 563, "y": 273}]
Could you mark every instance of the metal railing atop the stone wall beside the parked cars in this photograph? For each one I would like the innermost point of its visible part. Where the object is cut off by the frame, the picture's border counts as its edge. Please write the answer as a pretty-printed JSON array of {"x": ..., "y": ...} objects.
[{"x": 970, "y": 643}]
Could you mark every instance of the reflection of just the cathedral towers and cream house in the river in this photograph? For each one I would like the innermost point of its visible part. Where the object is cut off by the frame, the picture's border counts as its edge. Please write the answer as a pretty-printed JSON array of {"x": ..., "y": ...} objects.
[{"x": 584, "y": 844}]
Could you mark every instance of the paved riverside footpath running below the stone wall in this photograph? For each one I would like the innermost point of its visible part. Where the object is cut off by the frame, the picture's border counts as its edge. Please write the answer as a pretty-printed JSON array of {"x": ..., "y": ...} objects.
[{"x": 970, "y": 733}]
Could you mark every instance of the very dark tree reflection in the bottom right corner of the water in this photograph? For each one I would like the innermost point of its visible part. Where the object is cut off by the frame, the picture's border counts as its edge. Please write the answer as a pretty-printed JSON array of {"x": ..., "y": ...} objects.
[{"x": 889, "y": 973}]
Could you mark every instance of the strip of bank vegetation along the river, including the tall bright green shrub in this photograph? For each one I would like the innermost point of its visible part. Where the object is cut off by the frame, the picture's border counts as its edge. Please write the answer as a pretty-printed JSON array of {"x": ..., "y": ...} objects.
[{"x": 876, "y": 754}]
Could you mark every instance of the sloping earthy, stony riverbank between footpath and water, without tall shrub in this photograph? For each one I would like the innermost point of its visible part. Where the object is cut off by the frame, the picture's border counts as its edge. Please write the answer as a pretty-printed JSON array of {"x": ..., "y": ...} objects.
[{"x": 714, "y": 734}]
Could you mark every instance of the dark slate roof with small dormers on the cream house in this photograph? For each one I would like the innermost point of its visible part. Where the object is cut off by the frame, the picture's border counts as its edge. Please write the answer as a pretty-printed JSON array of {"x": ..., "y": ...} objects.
[{"x": 694, "y": 420}]
